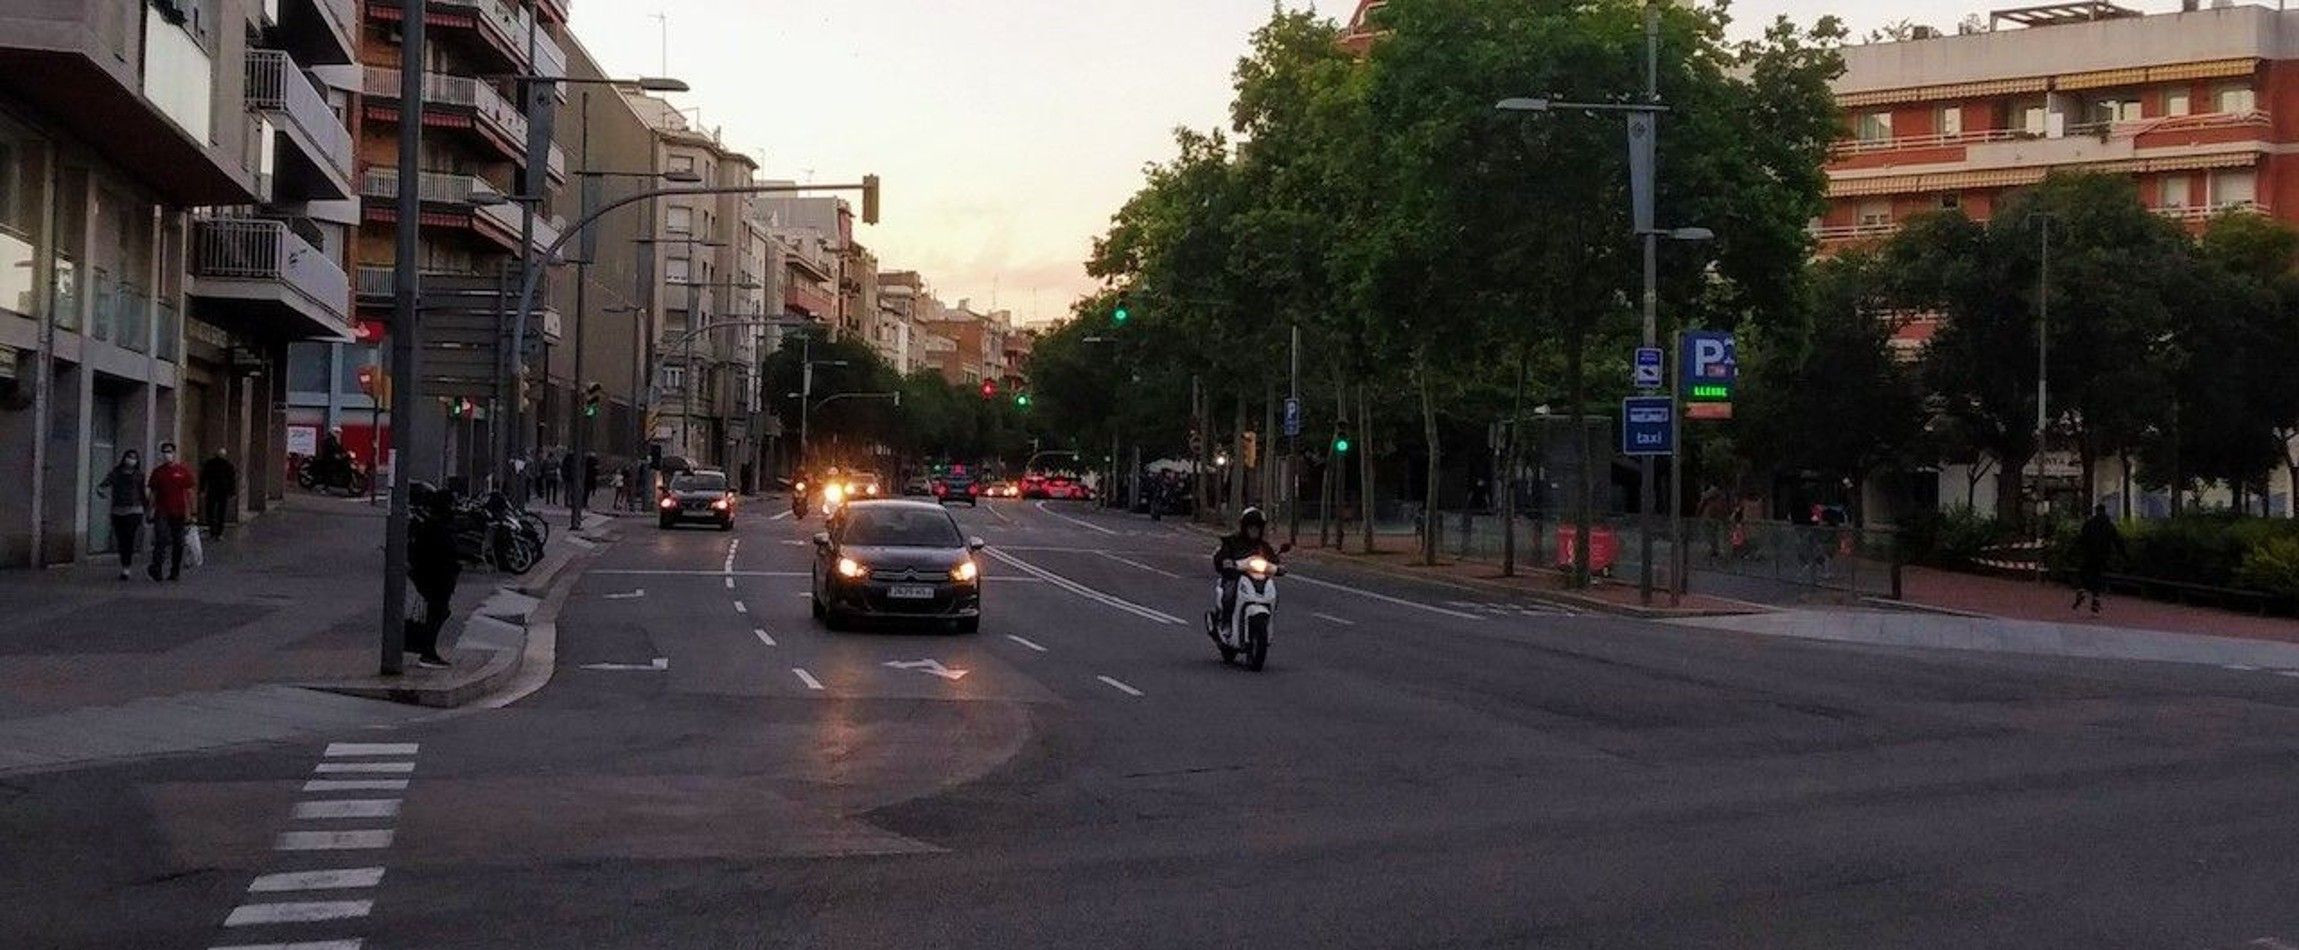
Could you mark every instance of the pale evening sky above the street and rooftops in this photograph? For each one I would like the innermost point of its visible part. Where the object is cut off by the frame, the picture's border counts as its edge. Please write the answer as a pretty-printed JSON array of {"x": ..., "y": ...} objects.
[{"x": 1006, "y": 132}]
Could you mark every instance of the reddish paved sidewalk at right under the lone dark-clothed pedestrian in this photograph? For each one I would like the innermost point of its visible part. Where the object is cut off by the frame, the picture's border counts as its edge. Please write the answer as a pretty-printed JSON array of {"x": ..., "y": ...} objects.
[{"x": 2050, "y": 604}]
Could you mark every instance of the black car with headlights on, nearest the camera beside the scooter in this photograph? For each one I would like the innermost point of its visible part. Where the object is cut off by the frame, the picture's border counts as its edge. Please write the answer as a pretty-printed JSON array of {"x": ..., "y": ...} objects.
[{"x": 898, "y": 560}]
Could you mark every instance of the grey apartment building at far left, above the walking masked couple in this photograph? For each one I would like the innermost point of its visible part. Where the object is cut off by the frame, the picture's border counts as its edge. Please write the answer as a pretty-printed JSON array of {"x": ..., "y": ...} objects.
[{"x": 174, "y": 183}]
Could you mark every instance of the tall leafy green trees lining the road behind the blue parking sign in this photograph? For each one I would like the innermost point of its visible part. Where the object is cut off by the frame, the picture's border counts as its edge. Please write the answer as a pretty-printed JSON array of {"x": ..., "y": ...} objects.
[{"x": 1445, "y": 263}]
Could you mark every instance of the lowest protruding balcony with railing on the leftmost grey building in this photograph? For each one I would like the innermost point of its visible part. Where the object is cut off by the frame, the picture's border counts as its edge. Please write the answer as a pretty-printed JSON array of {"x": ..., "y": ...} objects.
[{"x": 259, "y": 277}]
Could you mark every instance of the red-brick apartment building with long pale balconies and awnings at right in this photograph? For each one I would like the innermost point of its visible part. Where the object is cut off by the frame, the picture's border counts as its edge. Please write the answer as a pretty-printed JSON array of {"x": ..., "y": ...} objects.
[{"x": 2194, "y": 105}]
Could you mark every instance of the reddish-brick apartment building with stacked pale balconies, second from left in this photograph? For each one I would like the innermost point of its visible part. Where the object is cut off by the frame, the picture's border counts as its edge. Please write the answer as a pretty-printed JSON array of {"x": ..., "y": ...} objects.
[{"x": 477, "y": 151}]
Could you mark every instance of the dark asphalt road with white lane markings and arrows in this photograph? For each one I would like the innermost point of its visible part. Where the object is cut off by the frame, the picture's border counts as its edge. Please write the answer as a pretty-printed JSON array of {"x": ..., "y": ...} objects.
[{"x": 1417, "y": 767}]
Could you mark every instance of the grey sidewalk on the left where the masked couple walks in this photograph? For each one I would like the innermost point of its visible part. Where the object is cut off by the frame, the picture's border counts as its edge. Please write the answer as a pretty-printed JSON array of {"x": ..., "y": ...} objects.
[{"x": 95, "y": 668}]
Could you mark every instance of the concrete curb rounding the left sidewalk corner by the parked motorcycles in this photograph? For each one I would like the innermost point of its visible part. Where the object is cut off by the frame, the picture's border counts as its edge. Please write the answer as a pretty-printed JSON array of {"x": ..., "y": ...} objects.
[{"x": 507, "y": 652}]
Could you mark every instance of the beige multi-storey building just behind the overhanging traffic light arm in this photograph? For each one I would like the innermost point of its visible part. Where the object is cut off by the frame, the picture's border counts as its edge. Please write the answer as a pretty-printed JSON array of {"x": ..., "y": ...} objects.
[{"x": 714, "y": 263}]
